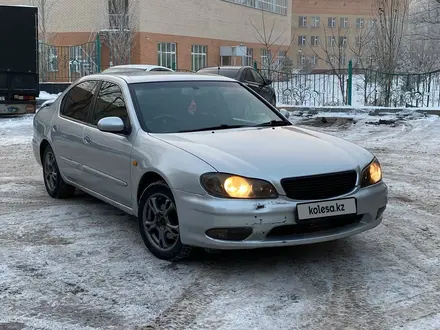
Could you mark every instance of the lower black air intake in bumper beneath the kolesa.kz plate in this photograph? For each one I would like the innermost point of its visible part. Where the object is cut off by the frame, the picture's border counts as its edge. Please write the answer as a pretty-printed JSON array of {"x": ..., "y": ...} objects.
[{"x": 314, "y": 226}]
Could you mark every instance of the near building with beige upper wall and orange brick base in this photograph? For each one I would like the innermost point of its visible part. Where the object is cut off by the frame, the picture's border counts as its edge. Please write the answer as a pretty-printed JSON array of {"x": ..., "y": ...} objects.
[{"x": 186, "y": 34}]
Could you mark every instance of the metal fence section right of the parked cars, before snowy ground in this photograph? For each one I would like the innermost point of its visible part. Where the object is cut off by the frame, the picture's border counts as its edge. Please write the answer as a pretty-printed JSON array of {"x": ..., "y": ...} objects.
[{"x": 368, "y": 88}]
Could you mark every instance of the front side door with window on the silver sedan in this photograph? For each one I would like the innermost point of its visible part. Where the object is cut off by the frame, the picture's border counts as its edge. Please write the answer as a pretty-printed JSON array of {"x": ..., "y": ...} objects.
[{"x": 107, "y": 156}]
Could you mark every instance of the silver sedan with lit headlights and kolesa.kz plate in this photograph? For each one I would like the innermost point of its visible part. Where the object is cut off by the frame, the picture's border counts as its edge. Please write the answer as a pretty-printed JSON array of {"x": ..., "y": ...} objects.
[{"x": 203, "y": 161}]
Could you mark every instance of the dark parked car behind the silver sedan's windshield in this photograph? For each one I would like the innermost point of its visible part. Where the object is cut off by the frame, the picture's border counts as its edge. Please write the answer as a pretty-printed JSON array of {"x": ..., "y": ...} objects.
[{"x": 247, "y": 75}]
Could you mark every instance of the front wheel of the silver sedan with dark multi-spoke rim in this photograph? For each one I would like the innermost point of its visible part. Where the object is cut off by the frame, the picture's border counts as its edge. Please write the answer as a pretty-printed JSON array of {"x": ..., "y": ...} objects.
[{"x": 163, "y": 236}]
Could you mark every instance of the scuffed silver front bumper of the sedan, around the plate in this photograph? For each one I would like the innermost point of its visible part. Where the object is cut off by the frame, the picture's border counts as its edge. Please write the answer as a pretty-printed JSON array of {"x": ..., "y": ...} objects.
[{"x": 200, "y": 213}]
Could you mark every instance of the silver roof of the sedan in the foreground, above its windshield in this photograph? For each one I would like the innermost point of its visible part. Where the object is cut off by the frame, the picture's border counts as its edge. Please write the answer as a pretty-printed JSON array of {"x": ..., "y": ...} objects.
[{"x": 134, "y": 77}]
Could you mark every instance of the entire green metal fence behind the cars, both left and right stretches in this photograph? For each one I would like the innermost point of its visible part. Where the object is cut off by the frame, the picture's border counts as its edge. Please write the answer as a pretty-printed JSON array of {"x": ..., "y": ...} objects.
[{"x": 332, "y": 88}]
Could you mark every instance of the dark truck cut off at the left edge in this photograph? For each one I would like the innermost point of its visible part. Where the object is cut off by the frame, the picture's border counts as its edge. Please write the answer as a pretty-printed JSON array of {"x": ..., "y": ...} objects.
[{"x": 19, "y": 63}]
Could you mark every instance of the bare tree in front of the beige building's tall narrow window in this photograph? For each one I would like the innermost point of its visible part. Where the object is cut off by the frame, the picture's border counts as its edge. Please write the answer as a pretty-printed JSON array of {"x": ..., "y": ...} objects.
[{"x": 120, "y": 38}]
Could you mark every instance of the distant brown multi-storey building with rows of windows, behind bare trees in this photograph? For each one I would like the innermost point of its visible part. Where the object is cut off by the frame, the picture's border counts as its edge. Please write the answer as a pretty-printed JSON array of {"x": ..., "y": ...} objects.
[{"x": 329, "y": 33}]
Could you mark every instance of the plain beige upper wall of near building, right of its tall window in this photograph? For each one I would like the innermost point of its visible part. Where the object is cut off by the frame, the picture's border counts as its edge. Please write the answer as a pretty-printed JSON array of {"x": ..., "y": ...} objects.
[{"x": 214, "y": 19}]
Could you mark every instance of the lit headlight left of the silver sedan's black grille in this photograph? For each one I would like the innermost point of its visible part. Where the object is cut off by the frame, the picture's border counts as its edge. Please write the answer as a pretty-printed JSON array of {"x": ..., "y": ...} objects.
[{"x": 233, "y": 186}]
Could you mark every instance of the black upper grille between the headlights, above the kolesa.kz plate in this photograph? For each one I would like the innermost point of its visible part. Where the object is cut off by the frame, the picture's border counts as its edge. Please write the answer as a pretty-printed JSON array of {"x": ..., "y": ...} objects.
[{"x": 319, "y": 186}]
